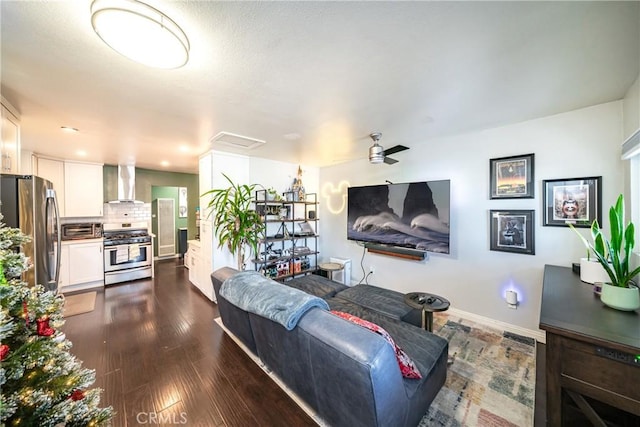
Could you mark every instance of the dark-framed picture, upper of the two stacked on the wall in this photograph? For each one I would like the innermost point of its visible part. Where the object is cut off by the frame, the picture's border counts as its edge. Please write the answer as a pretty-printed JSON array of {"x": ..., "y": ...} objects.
[{"x": 512, "y": 177}]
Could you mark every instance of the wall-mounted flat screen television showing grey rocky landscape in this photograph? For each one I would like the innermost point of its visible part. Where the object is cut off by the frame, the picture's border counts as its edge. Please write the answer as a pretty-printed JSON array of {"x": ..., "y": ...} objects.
[{"x": 411, "y": 215}]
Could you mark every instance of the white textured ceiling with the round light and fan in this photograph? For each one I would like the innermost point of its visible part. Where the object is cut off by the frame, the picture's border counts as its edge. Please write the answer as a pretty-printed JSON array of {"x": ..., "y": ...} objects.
[{"x": 329, "y": 72}]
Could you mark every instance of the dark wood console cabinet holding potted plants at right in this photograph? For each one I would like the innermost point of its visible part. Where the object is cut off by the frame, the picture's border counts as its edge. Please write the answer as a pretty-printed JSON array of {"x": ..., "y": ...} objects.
[{"x": 592, "y": 355}]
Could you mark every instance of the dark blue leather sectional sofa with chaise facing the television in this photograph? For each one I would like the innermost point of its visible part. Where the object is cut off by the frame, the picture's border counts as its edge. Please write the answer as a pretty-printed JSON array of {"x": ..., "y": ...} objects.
[{"x": 346, "y": 373}]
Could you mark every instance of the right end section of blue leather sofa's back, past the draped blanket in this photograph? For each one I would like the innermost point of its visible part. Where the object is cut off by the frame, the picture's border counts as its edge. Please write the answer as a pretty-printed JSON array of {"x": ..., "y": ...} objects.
[{"x": 371, "y": 389}]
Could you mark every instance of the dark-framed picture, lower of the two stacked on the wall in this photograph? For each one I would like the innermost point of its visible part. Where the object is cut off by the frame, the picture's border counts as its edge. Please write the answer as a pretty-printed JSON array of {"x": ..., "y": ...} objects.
[{"x": 512, "y": 231}]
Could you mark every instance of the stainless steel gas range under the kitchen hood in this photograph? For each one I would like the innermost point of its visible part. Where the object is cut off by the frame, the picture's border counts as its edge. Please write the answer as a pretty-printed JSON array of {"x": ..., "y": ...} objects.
[{"x": 128, "y": 254}]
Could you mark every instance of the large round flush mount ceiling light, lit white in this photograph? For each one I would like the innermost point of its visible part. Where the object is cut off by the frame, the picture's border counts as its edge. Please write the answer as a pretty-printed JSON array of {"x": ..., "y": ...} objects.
[{"x": 140, "y": 32}]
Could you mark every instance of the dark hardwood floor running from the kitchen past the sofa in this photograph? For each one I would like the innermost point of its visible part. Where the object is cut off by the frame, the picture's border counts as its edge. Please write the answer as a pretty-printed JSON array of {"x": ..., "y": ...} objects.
[{"x": 161, "y": 359}]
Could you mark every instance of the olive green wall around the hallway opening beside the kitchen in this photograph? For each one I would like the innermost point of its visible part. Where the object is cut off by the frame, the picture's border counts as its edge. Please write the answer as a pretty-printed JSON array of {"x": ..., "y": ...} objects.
[{"x": 147, "y": 179}]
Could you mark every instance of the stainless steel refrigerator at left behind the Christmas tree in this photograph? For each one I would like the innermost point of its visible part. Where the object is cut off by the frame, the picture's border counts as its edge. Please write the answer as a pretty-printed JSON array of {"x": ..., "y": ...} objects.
[{"x": 29, "y": 203}]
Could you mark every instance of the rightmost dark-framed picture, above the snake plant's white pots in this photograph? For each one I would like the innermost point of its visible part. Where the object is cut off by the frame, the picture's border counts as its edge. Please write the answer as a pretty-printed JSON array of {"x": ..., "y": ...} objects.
[{"x": 576, "y": 201}]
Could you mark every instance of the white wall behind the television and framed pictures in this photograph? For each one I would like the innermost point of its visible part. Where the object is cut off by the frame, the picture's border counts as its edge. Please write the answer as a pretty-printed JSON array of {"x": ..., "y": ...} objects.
[{"x": 580, "y": 143}]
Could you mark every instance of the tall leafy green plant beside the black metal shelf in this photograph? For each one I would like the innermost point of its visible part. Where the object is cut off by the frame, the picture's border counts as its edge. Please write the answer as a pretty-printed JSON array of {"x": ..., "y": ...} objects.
[{"x": 235, "y": 223}]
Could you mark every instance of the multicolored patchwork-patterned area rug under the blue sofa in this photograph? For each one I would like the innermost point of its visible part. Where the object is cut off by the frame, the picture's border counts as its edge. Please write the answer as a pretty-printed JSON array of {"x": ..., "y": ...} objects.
[{"x": 490, "y": 380}]
